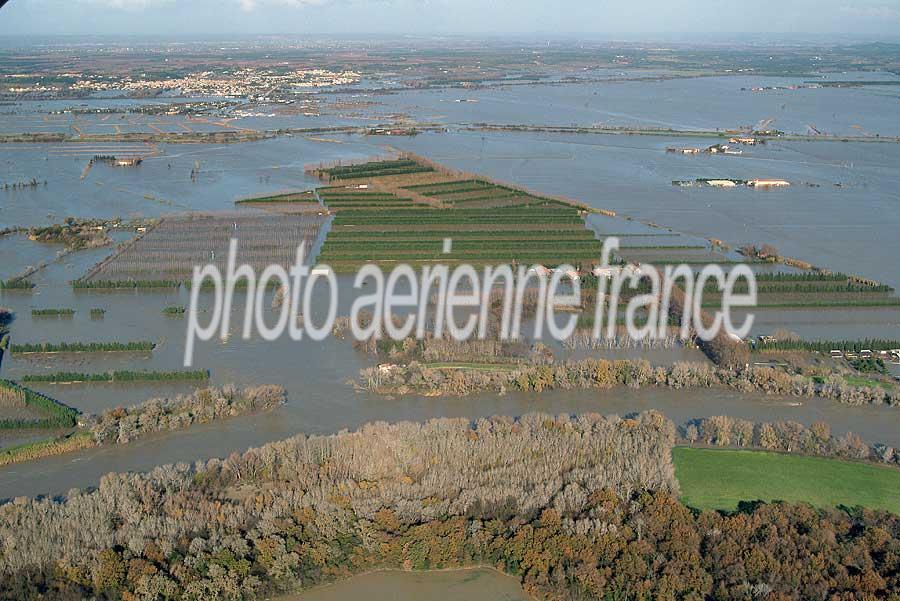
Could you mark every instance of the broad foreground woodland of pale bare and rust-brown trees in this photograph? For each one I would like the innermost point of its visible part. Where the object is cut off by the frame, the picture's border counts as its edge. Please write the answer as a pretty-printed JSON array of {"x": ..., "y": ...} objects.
[{"x": 576, "y": 507}]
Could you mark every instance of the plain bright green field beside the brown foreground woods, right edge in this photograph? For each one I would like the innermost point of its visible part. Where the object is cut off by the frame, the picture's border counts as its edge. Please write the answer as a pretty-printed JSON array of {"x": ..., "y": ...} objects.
[{"x": 719, "y": 479}]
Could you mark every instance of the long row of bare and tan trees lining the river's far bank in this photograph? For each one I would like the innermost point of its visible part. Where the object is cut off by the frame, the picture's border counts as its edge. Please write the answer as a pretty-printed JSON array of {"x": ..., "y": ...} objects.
[{"x": 601, "y": 373}]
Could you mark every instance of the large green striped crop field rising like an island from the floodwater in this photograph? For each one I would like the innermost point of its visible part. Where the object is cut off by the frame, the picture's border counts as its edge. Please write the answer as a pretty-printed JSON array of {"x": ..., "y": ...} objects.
[{"x": 497, "y": 225}]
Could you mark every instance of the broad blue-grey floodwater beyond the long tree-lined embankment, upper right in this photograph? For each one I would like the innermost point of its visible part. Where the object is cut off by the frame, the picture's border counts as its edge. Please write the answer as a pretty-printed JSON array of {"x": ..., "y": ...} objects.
[{"x": 701, "y": 103}]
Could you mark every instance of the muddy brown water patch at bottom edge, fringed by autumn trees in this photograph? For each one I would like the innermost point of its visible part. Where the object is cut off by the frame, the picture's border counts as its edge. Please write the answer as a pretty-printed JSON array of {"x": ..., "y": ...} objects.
[{"x": 395, "y": 585}]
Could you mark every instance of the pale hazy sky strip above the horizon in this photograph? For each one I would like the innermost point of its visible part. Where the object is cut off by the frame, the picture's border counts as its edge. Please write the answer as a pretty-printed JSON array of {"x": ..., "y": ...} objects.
[{"x": 605, "y": 19}]
